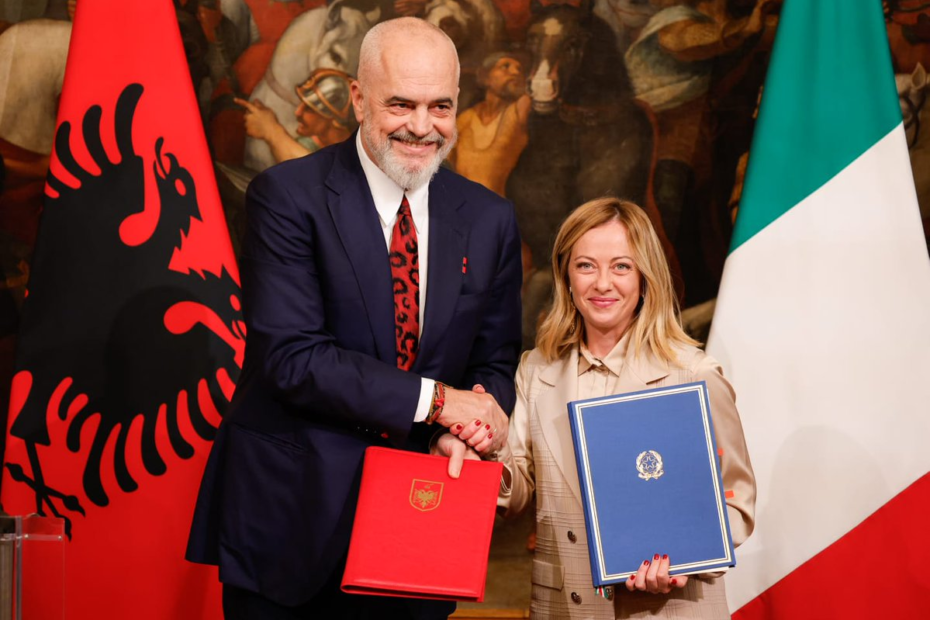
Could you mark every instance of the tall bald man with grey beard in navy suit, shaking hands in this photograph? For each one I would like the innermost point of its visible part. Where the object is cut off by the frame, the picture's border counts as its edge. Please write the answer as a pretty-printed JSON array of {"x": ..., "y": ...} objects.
[{"x": 378, "y": 291}]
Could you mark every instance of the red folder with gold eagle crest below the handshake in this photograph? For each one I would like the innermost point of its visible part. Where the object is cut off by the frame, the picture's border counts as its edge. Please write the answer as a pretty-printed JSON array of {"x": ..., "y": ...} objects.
[{"x": 418, "y": 532}]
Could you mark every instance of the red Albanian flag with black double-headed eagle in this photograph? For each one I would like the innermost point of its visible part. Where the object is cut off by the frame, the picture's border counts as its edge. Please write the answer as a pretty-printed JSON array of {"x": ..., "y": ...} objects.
[{"x": 131, "y": 339}]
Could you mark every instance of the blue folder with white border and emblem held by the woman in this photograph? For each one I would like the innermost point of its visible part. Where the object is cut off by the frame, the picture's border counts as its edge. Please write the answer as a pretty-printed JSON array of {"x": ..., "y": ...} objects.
[{"x": 650, "y": 482}]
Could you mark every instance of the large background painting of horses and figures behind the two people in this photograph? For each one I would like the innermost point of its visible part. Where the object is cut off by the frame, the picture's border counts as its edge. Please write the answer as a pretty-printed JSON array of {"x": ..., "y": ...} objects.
[{"x": 653, "y": 100}]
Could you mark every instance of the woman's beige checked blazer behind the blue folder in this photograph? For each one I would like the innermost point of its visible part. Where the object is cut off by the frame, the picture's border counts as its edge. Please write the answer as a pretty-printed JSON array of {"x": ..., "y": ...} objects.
[{"x": 540, "y": 457}]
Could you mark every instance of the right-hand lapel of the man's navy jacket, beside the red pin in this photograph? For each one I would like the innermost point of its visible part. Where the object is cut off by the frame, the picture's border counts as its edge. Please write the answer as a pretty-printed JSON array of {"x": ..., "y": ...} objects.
[{"x": 448, "y": 237}]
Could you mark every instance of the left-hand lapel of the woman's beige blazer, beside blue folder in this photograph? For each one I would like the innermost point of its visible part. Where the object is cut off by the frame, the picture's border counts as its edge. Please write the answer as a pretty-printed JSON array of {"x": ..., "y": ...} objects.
[{"x": 552, "y": 408}]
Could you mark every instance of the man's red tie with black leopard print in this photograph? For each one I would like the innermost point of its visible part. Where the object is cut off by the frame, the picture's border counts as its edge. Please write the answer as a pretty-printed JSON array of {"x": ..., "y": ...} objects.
[{"x": 405, "y": 270}]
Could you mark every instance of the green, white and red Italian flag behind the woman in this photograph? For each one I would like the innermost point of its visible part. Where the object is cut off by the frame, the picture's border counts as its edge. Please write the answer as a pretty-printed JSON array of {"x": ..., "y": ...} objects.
[{"x": 823, "y": 326}]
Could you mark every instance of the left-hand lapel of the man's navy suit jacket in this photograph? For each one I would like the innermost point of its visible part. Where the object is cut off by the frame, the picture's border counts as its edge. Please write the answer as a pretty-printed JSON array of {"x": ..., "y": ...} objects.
[{"x": 353, "y": 211}]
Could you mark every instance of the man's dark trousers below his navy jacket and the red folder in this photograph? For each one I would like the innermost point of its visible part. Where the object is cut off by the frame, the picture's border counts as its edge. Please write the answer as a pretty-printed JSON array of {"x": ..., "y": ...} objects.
[{"x": 331, "y": 603}]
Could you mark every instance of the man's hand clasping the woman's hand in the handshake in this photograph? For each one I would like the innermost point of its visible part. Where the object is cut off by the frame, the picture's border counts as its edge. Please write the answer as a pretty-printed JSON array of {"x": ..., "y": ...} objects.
[{"x": 475, "y": 417}]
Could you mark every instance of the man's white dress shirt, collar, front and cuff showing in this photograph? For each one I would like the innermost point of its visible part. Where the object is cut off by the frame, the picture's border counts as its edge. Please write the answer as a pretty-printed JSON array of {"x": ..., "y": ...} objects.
[{"x": 387, "y": 196}]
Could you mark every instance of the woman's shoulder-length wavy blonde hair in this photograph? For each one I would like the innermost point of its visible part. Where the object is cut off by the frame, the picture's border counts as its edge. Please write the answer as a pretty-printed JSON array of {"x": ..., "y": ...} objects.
[{"x": 656, "y": 326}]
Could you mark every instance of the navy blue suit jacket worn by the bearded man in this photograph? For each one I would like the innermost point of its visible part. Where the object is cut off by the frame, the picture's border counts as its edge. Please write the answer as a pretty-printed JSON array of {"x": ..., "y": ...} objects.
[{"x": 320, "y": 384}]
